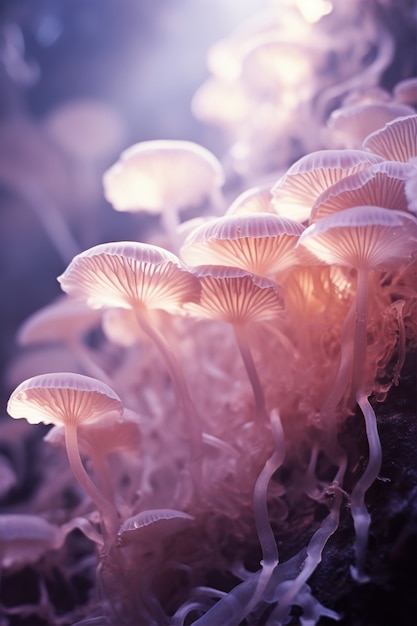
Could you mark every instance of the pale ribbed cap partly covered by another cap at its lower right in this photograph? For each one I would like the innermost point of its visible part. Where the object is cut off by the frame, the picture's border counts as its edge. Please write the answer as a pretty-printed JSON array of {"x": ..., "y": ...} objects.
[{"x": 297, "y": 190}]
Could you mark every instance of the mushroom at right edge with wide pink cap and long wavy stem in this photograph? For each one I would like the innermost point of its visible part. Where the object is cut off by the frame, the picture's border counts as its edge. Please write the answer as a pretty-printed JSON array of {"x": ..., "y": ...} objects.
[{"x": 364, "y": 238}]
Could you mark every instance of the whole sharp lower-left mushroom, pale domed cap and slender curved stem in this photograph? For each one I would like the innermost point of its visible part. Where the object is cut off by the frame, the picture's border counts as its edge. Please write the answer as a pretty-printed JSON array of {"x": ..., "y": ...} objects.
[{"x": 68, "y": 400}]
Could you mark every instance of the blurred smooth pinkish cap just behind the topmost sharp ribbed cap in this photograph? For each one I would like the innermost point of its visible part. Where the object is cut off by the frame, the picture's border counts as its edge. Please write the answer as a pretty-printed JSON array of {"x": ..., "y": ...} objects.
[{"x": 352, "y": 124}]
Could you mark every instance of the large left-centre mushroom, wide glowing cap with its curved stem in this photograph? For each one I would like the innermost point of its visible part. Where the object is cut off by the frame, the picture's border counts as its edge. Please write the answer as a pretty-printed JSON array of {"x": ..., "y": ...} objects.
[{"x": 143, "y": 278}]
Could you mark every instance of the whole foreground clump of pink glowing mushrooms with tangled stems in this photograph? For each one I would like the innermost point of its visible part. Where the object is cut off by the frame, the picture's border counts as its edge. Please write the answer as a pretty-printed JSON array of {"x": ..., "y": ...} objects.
[{"x": 229, "y": 368}]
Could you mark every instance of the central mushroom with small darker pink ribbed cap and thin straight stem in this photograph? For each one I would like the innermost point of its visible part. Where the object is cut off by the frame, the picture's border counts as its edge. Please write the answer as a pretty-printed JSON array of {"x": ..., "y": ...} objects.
[{"x": 234, "y": 295}]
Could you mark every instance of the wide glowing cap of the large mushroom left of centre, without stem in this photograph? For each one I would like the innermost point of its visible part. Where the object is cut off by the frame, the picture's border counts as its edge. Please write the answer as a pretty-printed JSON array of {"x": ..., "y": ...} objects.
[{"x": 130, "y": 275}]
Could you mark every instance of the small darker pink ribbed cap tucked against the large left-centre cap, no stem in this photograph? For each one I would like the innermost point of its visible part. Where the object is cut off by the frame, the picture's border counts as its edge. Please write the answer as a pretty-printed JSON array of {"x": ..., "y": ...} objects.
[{"x": 236, "y": 296}]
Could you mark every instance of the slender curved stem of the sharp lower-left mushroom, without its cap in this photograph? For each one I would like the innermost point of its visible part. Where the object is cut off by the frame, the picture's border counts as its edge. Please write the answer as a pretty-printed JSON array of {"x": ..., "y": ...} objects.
[{"x": 110, "y": 517}]
